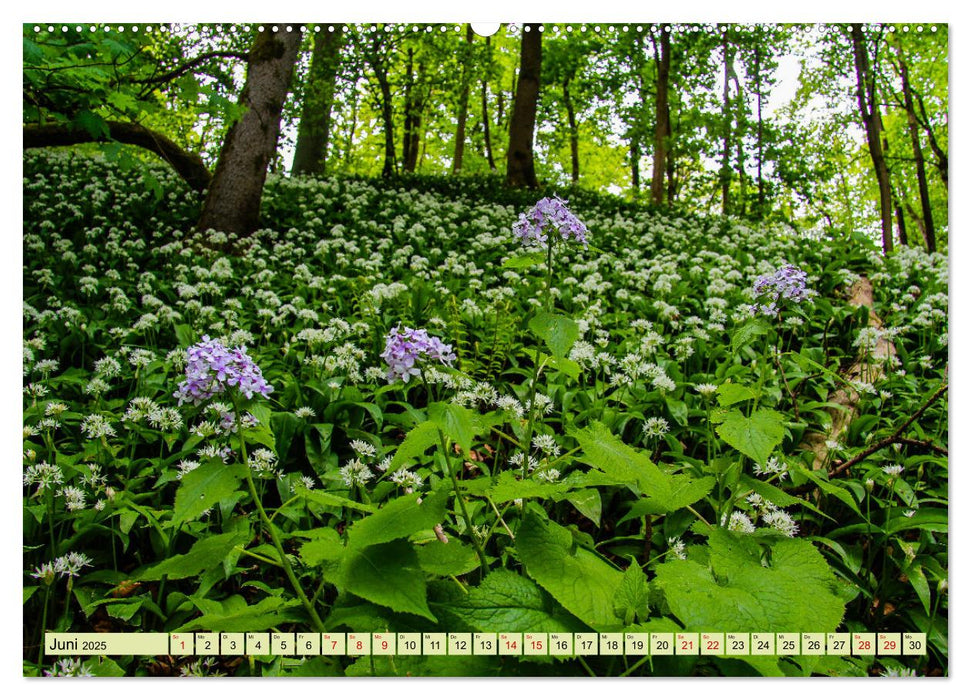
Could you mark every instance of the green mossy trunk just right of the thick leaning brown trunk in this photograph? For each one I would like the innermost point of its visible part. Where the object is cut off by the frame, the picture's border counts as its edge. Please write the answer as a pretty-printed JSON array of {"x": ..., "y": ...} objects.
[{"x": 313, "y": 134}]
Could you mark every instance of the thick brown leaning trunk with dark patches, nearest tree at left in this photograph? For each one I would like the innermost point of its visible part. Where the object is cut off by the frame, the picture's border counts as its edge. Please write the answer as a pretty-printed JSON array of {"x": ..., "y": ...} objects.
[{"x": 233, "y": 202}]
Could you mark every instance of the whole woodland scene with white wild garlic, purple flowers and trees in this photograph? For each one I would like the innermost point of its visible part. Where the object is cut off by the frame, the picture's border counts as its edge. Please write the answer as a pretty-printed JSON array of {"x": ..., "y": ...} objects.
[{"x": 543, "y": 330}]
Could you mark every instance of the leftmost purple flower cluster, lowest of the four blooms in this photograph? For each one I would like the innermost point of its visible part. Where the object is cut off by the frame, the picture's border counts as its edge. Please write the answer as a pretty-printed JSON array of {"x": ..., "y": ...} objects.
[{"x": 212, "y": 368}]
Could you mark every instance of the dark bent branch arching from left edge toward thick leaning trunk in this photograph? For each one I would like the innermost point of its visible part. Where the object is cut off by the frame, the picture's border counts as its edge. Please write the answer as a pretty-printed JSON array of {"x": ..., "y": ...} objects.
[{"x": 189, "y": 166}]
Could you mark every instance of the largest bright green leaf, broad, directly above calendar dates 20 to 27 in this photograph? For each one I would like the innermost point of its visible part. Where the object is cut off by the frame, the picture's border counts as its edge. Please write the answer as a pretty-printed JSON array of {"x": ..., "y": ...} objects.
[{"x": 746, "y": 588}]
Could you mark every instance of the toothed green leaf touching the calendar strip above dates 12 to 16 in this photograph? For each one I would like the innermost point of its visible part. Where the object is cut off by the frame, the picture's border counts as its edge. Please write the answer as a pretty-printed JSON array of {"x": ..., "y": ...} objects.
[{"x": 507, "y": 601}]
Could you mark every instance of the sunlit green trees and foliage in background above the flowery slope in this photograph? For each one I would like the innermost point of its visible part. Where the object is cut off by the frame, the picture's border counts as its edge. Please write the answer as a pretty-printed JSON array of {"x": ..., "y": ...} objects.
[{"x": 693, "y": 116}]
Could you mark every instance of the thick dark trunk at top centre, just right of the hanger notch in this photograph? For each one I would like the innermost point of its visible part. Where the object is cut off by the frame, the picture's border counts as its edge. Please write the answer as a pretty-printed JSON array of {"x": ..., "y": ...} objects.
[{"x": 520, "y": 169}]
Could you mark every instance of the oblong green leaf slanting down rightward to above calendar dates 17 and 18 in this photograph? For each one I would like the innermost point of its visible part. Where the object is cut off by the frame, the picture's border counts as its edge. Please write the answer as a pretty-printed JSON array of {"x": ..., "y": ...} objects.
[{"x": 578, "y": 579}]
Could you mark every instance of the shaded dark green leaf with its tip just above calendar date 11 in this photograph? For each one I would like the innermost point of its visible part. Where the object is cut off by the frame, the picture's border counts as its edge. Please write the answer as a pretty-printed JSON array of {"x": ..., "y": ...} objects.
[{"x": 388, "y": 574}]
